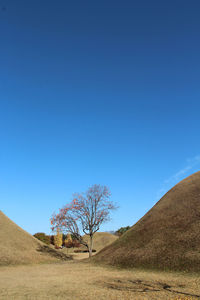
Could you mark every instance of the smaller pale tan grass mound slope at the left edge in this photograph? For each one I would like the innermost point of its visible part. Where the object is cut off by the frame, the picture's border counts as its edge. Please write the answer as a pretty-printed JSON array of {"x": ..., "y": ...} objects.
[{"x": 19, "y": 247}]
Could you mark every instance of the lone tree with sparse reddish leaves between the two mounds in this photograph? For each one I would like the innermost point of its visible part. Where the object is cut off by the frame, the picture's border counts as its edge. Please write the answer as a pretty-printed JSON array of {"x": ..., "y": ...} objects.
[{"x": 85, "y": 214}]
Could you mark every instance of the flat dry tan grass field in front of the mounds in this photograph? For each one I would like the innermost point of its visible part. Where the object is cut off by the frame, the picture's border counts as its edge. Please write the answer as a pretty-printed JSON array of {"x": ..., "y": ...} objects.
[{"x": 84, "y": 280}]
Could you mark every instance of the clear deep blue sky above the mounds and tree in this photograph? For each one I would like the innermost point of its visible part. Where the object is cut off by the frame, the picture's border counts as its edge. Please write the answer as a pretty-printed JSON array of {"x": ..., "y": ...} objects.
[{"x": 104, "y": 92}]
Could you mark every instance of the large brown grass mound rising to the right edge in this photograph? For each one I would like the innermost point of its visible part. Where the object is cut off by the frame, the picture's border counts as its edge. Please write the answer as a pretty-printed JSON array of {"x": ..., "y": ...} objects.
[{"x": 167, "y": 237}]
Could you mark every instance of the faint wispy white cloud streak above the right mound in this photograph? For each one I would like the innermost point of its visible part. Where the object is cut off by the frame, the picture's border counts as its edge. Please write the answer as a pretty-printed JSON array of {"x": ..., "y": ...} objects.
[{"x": 191, "y": 163}]
